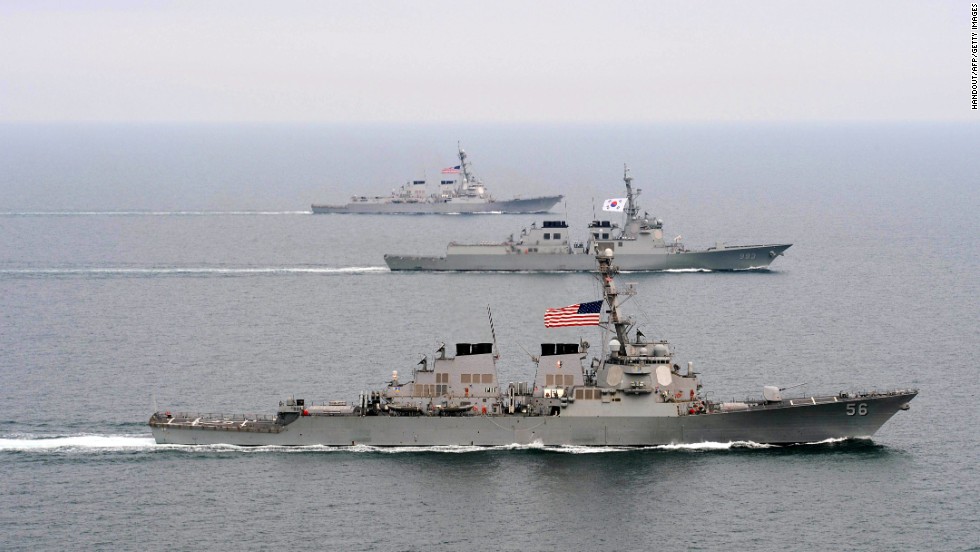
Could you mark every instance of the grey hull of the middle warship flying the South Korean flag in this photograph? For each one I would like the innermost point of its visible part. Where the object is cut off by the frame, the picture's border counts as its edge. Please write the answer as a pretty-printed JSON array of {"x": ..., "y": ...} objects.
[{"x": 723, "y": 258}]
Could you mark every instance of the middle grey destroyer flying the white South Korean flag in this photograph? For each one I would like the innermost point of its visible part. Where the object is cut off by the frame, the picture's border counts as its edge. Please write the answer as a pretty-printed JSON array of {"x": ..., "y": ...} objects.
[{"x": 639, "y": 246}]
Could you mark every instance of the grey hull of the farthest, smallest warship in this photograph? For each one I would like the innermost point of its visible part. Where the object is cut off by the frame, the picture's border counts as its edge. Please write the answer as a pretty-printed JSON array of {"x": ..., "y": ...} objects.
[{"x": 529, "y": 205}]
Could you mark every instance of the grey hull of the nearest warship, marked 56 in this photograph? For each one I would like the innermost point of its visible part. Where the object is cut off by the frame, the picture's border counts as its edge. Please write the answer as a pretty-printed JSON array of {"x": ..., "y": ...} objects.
[{"x": 797, "y": 421}]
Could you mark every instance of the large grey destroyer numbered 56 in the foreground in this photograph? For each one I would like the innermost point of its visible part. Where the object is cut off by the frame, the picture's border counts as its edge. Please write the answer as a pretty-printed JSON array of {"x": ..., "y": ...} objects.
[{"x": 634, "y": 395}]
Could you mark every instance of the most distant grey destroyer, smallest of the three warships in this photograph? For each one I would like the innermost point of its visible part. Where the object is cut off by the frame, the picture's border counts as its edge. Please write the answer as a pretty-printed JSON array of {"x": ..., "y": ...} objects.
[{"x": 465, "y": 193}]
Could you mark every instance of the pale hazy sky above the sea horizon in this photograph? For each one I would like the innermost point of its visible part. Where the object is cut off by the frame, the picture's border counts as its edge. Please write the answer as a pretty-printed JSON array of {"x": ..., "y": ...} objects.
[{"x": 463, "y": 61}]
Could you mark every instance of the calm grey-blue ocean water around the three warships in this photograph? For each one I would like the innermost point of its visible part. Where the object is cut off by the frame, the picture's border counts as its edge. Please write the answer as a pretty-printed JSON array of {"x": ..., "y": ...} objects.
[{"x": 178, "y": 267}]
